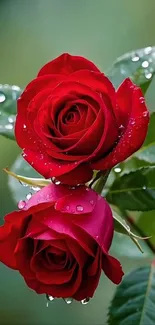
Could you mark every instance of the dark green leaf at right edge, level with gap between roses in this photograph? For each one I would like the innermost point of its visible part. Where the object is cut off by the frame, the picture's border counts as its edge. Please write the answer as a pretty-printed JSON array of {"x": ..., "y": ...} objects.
[{"x": 134, "y": 191}]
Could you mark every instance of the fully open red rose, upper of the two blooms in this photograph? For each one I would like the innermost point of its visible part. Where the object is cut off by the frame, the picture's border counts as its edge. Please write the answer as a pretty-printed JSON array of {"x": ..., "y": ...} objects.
[{"x": 71, "y": 120}]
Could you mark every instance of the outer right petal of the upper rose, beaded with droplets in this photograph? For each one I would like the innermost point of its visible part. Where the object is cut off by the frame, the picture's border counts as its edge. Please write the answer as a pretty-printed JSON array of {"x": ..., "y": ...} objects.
[{"x": 135, "y": 131}]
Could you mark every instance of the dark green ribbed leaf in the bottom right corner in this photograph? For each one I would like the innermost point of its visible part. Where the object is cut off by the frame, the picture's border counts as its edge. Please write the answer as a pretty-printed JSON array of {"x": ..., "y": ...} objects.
[{"x": 134, "y": 301}]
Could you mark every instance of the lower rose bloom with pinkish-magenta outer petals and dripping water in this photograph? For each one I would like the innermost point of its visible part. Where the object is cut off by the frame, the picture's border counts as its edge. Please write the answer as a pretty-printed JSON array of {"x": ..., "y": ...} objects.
[{"x": 59, "y": 242}]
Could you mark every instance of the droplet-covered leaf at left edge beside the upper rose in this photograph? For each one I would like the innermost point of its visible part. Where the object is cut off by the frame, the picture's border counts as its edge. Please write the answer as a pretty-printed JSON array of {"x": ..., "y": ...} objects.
[{"x": 8, "y": 98}]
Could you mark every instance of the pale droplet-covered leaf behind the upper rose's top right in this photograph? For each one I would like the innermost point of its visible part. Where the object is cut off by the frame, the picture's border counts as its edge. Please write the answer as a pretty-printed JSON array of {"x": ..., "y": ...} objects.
[{"x": 139, "y": 65}]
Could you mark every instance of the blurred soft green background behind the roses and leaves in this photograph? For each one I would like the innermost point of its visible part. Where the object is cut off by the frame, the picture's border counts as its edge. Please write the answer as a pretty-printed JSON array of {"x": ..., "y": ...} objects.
[{"x": 33, "y": 32}]
